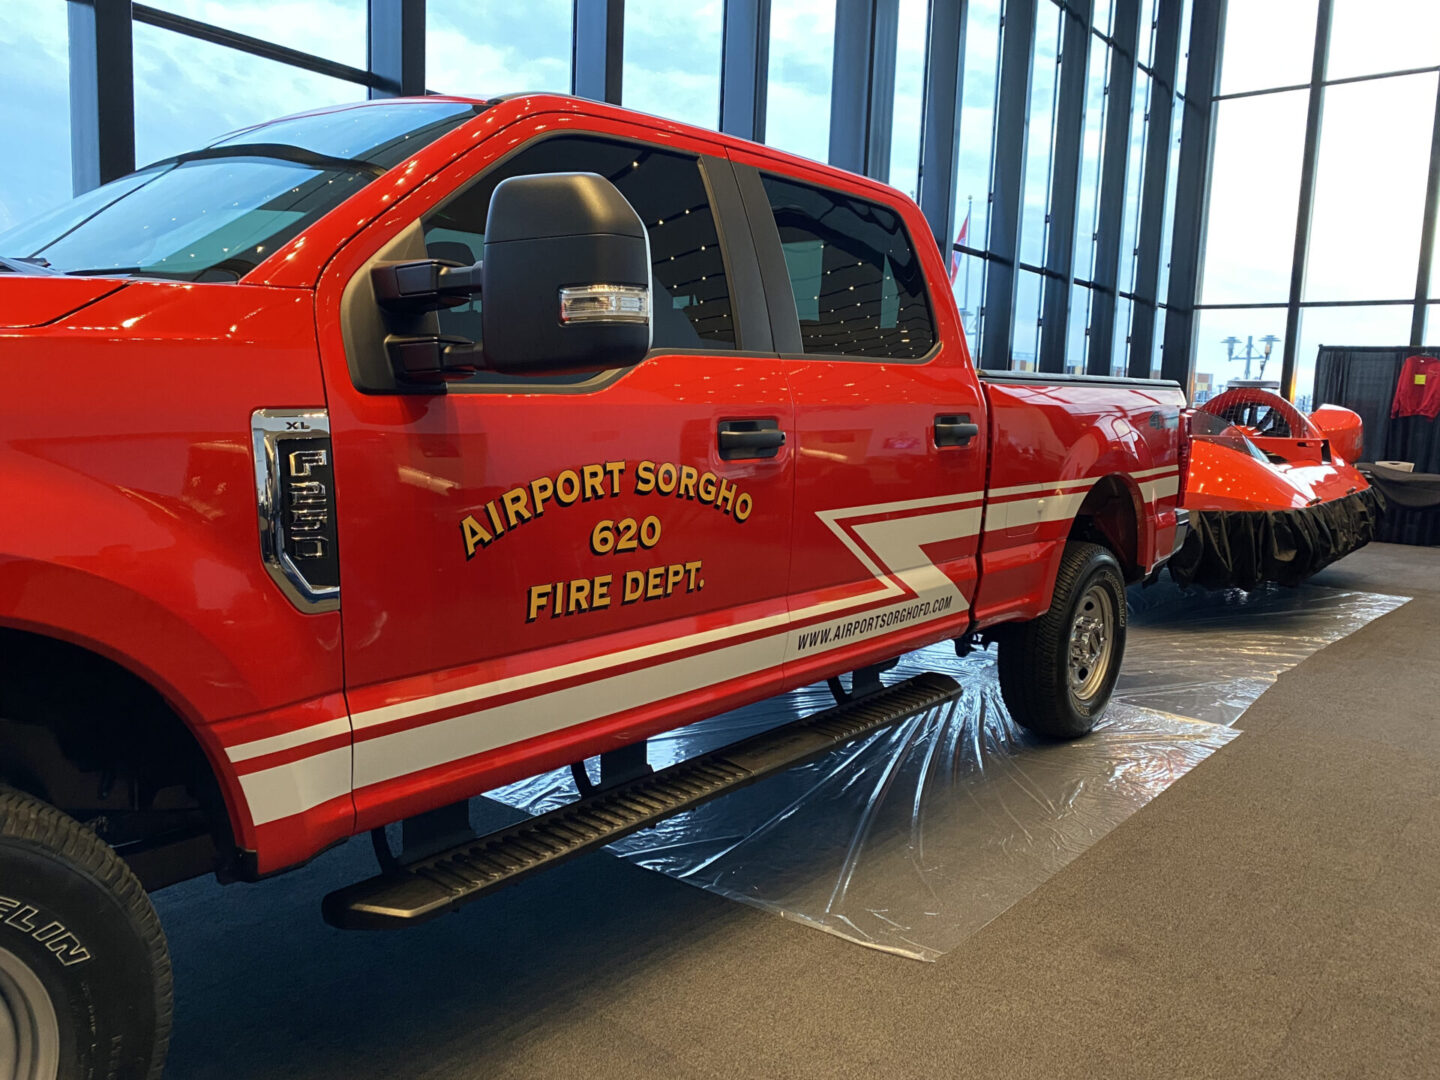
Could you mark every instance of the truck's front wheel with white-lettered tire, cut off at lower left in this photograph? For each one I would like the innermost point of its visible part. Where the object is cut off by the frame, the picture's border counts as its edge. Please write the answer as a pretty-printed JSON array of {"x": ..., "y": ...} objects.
[{"x": 84, "y": 970}]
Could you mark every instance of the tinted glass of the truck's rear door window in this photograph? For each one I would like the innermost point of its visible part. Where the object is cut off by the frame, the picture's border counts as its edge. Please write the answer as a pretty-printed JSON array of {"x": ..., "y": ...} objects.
[{"x": 858, "y": 280}]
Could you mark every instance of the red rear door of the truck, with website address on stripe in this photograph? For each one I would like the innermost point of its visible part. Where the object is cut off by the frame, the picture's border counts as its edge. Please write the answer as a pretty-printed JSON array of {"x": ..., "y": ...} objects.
[{"x": 889, "y": 424}]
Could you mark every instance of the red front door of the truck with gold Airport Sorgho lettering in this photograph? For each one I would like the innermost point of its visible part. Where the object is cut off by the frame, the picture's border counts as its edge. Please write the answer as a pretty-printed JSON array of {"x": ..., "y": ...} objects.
[{"x": 538, "y": 570}]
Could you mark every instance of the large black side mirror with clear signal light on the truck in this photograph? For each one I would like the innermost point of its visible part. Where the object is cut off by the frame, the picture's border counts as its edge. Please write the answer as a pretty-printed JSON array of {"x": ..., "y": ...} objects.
[{"x": 565, "y": 277}]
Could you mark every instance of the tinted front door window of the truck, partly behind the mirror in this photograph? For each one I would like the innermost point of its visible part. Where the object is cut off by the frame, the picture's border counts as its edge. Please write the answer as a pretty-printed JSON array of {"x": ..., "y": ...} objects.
[{"x": 689, "y": 290}]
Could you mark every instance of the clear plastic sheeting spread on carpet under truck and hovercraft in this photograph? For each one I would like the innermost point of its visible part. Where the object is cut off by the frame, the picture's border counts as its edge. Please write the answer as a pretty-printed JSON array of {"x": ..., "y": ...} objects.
[{"x": 919, "y": 834}]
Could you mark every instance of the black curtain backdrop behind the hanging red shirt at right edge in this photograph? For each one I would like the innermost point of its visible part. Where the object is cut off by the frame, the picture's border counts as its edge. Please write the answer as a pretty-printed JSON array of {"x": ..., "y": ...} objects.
[{"x": 1364, "y": 381}]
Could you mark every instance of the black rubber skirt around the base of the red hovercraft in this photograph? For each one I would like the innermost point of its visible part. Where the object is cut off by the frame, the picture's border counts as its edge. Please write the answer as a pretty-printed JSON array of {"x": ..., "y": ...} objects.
[{"x": 1241, "y": 549}]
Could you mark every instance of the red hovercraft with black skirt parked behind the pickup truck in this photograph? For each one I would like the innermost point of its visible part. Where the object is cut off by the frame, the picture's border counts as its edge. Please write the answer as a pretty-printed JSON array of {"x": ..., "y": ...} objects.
[{"x": 1272, "y": 495}]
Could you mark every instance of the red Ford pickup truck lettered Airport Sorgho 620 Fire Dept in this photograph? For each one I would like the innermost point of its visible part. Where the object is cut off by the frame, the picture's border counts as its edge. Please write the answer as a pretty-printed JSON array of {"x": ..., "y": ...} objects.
[{"x": 368, "y": 460}]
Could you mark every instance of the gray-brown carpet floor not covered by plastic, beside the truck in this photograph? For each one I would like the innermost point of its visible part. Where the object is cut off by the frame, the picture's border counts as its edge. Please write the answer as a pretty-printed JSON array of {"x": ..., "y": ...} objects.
[{"x": 1277, "y": 914}]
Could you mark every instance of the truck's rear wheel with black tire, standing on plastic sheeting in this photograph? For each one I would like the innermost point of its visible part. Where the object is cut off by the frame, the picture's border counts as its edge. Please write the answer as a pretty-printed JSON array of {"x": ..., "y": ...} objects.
[{"x": 1058, "y": 672}]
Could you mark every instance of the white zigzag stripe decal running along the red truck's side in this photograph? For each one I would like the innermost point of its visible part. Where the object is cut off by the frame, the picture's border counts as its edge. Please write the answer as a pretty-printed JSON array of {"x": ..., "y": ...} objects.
[{"x": 902, "y": 567}]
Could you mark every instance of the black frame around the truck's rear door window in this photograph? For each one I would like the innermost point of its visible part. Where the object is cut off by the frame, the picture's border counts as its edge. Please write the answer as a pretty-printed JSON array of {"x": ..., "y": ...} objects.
[{"x": 786, "y": 323}]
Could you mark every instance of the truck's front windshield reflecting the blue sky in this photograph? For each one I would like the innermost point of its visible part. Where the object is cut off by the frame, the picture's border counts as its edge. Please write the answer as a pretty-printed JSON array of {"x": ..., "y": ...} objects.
[{"x": 215, "y": 214}]
